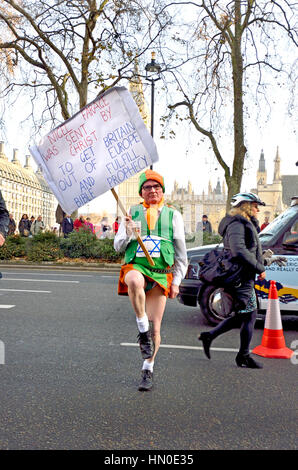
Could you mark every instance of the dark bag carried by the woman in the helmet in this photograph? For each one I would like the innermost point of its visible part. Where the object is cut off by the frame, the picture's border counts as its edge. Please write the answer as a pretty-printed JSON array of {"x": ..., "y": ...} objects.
[{"x": 218, "y": 267}]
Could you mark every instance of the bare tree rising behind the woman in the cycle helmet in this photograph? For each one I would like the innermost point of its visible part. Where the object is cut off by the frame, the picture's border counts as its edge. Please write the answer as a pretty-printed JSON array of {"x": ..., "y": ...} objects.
[{"x": 222, "y": 53}]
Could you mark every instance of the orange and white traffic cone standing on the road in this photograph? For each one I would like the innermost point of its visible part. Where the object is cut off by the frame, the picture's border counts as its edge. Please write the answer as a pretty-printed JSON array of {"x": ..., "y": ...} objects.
[{"x": 273, "y": 341}]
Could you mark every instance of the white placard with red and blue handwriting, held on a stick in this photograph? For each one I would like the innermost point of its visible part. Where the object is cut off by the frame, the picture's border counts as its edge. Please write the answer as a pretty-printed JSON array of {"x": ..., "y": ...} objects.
[{"x": 104, "y": 144}]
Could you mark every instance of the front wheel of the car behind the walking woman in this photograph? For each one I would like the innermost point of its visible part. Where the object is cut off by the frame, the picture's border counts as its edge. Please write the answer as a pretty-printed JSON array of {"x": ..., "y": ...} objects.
[{"x": 211, "y": 304}]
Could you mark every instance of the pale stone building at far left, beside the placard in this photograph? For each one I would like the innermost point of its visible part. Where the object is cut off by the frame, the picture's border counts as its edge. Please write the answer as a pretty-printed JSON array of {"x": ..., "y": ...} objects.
[{"x": 24, "y": 190}]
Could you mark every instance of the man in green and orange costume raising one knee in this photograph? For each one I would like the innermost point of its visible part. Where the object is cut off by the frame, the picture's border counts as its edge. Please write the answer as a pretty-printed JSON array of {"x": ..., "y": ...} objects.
[{"x": 162, "y": 232}]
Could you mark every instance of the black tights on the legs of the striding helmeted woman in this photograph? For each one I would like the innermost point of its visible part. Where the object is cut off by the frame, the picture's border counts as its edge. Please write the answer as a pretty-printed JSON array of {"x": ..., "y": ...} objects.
[{"x": 244, "y": 321}]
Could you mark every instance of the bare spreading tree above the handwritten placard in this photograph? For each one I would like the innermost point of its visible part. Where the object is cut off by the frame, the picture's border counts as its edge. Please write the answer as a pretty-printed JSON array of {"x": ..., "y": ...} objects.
[{"x": 66, "y": 52}]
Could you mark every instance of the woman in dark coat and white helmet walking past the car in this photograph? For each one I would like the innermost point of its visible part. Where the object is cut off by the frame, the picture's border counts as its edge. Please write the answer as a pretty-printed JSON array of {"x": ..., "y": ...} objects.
[{"x": 238, "y": 229}]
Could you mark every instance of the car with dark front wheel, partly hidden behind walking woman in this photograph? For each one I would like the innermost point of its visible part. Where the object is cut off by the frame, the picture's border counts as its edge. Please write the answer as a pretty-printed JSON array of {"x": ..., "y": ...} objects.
[{"x": 281, "y": 236}]
